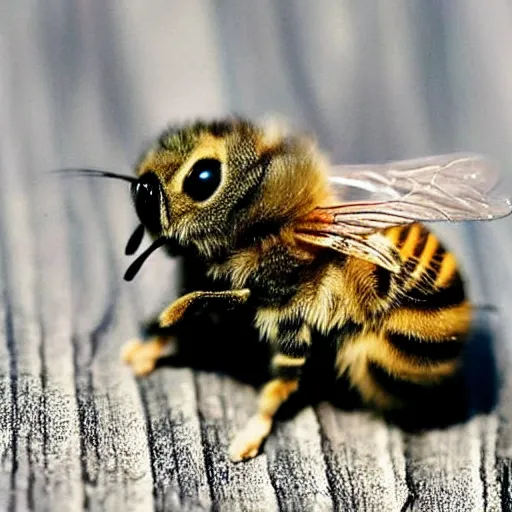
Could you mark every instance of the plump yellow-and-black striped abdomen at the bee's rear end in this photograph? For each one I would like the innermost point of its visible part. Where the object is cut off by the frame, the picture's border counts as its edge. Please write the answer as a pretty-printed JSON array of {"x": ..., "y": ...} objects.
[{"x": 422, "y": 319}]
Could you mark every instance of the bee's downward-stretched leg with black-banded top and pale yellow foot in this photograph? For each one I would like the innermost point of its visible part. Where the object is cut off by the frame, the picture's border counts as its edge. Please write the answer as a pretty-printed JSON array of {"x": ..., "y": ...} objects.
[{"x": 287, "y": 363}]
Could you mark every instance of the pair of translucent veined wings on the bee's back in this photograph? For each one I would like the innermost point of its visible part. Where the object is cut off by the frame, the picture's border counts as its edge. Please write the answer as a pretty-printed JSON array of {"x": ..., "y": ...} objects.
[{"x": 454, "y": 187}]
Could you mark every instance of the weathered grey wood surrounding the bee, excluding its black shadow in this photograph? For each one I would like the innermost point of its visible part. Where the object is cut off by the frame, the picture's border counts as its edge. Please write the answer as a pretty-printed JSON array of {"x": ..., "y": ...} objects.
[{"x": 89, "y": 84}]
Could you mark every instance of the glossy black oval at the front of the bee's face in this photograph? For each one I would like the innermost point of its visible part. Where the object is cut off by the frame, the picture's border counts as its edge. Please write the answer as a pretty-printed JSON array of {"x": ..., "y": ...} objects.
[{"x": 146, "y": 196}]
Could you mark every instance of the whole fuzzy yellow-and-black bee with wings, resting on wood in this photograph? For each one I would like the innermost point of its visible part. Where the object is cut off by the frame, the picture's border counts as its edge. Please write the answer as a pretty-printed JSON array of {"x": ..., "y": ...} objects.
[{"x": 272, "y": 220}]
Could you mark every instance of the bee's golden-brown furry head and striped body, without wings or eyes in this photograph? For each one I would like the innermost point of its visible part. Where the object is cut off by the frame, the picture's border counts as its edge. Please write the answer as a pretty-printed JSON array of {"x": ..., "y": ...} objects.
[{"x": 246, "y": 233}]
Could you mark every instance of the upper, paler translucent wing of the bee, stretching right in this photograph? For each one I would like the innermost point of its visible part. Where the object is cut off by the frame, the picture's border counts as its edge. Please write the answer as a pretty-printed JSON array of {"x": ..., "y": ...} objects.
[{"x": 454, "y": 187}]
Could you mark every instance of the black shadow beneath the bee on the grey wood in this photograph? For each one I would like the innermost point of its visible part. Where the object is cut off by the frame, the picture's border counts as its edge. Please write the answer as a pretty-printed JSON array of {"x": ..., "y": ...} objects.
[{"x": 224, "y": 342}]
